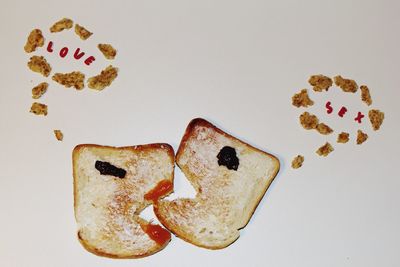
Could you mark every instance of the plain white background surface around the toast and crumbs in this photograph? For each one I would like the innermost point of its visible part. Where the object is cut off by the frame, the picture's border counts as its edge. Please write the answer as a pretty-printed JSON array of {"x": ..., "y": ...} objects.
[{"x": 237, "y": 64}]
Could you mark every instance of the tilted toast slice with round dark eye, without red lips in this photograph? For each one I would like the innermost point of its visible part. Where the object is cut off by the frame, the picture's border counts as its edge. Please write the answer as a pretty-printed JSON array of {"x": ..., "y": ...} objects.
[{"x": 229, "y": 187}]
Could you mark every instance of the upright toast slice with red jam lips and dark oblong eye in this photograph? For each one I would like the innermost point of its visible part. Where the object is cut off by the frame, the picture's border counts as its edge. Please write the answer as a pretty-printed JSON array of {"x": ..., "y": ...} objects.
[{"x": 112, "y": 185}]
